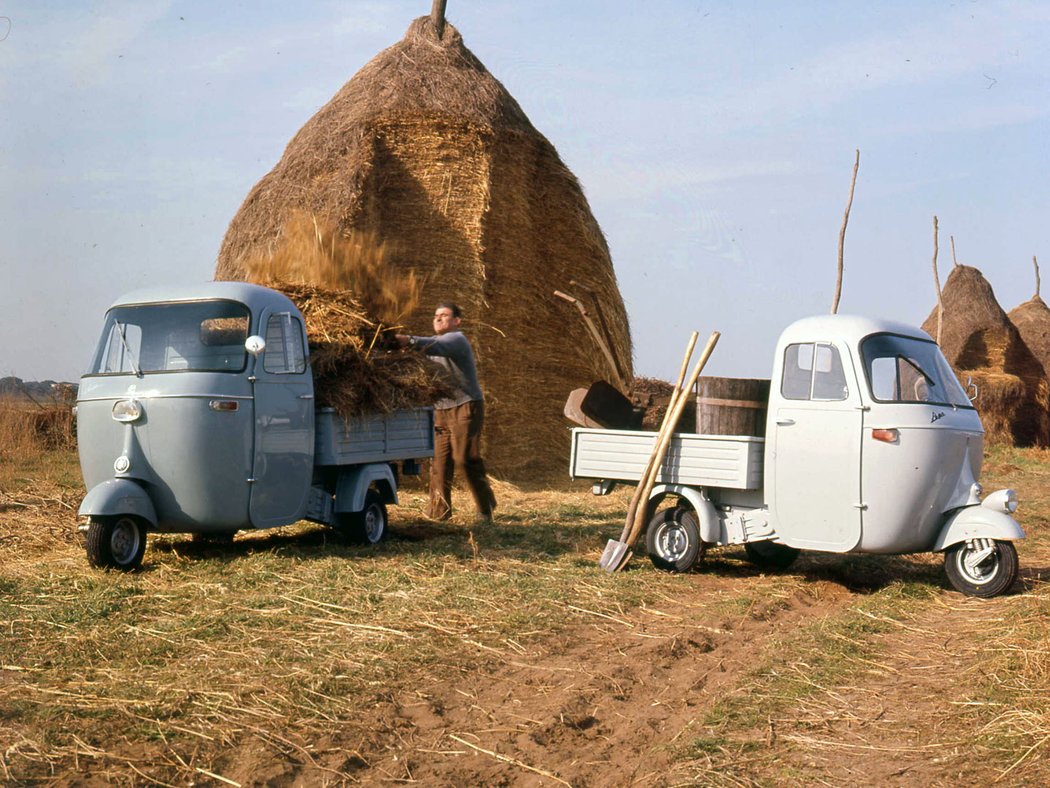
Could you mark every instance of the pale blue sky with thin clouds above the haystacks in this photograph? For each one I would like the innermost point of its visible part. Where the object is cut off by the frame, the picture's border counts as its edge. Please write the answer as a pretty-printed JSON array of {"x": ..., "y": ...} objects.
[{"x": 715, "y": 141}]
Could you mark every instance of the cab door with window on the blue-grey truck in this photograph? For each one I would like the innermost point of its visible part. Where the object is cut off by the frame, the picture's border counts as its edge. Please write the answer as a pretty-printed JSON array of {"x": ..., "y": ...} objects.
[{"x": 284, "y": 454}]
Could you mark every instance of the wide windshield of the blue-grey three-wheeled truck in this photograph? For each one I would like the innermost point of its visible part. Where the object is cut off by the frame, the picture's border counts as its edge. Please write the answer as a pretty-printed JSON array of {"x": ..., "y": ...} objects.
[{"x": 198, "y": 337}]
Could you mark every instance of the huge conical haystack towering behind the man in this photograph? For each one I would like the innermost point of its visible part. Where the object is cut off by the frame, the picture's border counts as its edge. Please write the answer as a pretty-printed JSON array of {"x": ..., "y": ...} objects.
[{"x": 428, "y": 151}]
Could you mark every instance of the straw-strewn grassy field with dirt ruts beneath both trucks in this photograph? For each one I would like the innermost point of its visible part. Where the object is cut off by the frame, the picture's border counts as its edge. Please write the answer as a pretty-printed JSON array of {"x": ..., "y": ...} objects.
[{"x": 505, "y": 655}]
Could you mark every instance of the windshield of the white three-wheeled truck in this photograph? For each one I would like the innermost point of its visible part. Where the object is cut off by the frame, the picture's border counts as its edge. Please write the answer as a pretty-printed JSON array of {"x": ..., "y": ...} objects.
[{"x": 902, "y": 369}]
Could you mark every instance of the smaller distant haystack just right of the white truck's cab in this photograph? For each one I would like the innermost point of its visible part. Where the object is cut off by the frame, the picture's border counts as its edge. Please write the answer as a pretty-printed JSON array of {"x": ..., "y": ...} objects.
[{"x": 981, "y": 343}]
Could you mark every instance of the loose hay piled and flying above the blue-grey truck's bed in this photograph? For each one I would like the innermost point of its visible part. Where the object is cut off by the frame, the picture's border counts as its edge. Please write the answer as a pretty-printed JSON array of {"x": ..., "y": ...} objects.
[{"x": 351, "y": 315}]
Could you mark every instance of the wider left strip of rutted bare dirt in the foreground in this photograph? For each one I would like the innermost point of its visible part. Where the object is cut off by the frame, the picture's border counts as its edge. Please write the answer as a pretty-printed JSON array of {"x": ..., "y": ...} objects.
[{"x": 602, "y": 703}]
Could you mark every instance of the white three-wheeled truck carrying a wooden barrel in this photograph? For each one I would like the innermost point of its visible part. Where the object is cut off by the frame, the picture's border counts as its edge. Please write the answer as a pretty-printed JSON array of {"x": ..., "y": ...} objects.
[{"x": 871, "y": 446}]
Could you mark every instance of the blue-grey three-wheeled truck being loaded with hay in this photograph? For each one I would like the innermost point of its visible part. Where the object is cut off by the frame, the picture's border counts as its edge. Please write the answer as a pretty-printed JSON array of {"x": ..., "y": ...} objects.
[{"x": 198, "y": 416}]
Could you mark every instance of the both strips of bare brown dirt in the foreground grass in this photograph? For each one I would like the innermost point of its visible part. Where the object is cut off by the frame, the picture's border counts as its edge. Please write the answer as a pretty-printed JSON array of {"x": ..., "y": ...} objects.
[{"x": 611, "y": 702}]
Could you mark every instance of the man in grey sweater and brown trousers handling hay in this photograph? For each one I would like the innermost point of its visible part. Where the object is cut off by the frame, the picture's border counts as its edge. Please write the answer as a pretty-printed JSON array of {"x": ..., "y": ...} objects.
[{"x": 458, "y": 419}]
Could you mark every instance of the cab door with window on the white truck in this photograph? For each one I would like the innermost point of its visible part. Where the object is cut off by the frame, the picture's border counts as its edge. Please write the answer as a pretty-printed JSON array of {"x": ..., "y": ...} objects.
[{"x": 816, "y": 431}]
